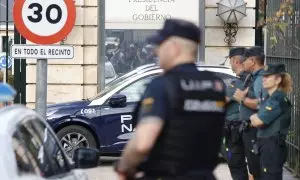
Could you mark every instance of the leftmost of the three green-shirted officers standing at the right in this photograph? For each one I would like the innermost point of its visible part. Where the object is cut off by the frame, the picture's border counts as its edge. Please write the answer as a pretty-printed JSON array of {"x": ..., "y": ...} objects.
[{"x": 233, "y": 144}]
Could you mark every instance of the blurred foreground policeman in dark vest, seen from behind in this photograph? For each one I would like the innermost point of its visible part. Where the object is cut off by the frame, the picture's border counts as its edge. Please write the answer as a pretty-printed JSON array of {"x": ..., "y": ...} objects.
[{"x": 182, "y": 113}]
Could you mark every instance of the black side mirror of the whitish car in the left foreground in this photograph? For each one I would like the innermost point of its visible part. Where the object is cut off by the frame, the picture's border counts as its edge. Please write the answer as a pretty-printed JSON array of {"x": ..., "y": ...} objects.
[{"x": 86, "y": 158}]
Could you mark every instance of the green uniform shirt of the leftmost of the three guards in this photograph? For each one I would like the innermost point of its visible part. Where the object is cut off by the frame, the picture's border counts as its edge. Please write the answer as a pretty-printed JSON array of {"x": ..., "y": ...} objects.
[{"x": 232, "y": 113}]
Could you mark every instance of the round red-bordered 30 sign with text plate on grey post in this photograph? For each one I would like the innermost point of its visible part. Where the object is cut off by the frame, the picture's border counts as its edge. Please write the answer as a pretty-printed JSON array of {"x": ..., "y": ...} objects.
[{"x": 43, "y": 22}]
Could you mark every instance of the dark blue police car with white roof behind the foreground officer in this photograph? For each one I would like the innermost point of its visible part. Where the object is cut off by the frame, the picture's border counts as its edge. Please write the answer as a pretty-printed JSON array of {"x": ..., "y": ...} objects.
[{"x": 104, "y": 121}]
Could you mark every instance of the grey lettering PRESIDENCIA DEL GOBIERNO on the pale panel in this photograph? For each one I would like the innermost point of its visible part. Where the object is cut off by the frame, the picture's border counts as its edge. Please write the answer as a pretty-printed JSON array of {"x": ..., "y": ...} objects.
[{"x": 152, "y": 10}]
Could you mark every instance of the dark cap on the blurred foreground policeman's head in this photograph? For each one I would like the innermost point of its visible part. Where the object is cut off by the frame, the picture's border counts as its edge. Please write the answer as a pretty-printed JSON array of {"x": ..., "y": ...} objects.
[{"x": 176, "y": 27}]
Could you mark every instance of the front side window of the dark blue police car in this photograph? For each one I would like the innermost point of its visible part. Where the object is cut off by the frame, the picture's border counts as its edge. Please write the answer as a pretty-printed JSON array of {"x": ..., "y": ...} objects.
[{"x": 135, "y": 90}]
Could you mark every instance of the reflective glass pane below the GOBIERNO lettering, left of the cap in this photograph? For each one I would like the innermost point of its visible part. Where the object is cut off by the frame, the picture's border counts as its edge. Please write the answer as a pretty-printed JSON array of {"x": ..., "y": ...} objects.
[{"x": 127, "y": 49}]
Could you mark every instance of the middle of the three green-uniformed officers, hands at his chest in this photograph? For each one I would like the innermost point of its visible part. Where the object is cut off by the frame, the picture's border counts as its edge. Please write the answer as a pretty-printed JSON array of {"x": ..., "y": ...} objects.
[{"x": 249, "y": 100}]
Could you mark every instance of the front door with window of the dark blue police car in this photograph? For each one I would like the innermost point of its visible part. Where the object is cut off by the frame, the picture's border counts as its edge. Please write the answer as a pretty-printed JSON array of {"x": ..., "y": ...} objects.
[{"x": 118, "y": 126}]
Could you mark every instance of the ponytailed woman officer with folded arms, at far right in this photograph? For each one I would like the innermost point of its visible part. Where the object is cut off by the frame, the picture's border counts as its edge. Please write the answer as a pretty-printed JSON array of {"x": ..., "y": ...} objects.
[{"x": 273, "y": 121}]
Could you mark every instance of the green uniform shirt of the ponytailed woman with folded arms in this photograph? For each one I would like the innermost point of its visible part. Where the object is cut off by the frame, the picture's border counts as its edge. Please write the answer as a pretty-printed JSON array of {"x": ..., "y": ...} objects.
[{"x": 275, "y": 113}]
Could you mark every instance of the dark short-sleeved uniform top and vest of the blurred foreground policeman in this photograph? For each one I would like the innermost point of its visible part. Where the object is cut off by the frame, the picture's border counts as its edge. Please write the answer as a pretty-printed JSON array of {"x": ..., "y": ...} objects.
[{"x": 193, "y": 111}]
